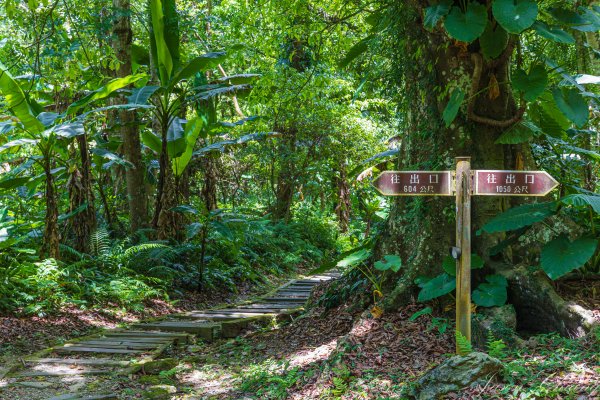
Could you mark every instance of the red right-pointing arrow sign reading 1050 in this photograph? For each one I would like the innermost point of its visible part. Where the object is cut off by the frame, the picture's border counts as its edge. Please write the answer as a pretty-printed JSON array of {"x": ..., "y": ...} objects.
[{"x": 513, "y": 183}]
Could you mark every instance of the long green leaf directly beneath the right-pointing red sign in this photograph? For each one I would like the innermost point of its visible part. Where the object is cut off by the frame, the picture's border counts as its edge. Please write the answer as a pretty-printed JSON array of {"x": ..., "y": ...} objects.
[{"x": 520, "y": 216}]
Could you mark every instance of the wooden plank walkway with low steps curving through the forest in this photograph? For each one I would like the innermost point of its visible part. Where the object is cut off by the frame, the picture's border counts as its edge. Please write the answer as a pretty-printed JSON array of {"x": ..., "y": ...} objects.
[{"x": 100, "y": 366}]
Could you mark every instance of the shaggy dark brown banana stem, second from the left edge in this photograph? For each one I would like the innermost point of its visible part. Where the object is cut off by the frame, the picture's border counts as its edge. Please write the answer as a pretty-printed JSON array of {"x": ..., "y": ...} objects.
[{"x": 80, "y": 192}]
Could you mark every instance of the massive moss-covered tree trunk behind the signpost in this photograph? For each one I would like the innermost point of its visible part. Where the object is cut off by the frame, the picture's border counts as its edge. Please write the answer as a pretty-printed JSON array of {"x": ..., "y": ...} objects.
[{"x": 419, "y": 228}]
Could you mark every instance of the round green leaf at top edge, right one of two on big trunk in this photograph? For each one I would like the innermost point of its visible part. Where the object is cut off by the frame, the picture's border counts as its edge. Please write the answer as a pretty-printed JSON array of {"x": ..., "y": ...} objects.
[{"x": 515, "y": 15}]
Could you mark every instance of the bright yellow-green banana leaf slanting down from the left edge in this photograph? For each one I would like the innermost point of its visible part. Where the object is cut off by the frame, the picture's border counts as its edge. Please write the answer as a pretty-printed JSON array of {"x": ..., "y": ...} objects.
[{"x": 17, "y": 102}]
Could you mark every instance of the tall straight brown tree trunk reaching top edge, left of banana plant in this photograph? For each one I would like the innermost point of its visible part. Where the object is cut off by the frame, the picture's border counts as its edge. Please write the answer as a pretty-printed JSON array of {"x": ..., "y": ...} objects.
[{"x": 132, "y": 148}]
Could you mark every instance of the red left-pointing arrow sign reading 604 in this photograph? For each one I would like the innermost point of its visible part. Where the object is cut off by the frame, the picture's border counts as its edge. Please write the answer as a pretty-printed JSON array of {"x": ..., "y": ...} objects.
[{"x": 414, "y": 183}]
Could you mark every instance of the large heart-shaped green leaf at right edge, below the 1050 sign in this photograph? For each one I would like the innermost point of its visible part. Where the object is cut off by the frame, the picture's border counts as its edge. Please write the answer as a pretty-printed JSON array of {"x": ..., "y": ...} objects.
[{"x": 561, "y": 256}]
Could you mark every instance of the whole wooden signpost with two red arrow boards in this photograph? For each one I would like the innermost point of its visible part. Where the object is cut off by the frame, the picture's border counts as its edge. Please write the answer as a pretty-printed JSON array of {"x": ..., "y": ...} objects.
[{"x": 466, "y": 184}]
